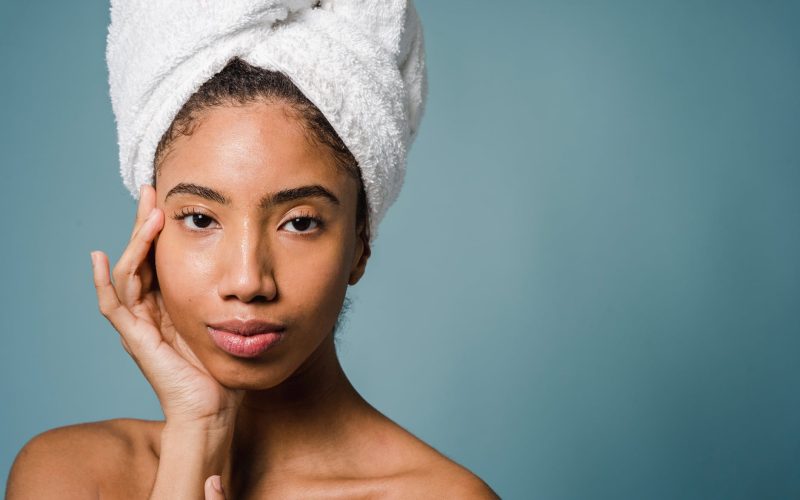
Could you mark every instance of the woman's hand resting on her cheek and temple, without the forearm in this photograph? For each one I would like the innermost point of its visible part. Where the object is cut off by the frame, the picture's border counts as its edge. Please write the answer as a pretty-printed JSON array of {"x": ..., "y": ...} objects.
[{"x": 133, "y": 304}]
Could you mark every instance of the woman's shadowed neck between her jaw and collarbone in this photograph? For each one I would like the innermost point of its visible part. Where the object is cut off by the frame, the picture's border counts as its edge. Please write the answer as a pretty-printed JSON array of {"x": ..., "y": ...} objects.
[{"x": 304, "y": 423}]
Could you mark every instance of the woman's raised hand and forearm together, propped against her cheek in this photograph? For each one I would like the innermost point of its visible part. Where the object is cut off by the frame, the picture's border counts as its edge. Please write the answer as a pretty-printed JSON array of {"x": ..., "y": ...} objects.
[{"x": 199, "y": 411}]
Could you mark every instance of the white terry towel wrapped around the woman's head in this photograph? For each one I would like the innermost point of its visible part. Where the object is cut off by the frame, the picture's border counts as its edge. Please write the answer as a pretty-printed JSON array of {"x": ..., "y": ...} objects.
[{"x": 361, "y": 62}]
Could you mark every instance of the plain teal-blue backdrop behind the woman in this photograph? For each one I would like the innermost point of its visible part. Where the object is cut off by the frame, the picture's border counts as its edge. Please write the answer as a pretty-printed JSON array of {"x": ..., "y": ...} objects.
[{"x": 588, "y": 288}]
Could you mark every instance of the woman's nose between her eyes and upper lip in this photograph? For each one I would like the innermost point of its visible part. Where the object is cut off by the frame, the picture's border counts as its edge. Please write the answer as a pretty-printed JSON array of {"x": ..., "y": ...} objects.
[{"x": 247, "y": 269}]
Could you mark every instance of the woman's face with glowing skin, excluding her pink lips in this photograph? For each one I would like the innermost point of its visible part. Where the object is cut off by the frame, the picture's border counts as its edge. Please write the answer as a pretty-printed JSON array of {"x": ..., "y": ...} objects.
[{"x": 231, "y": 250}]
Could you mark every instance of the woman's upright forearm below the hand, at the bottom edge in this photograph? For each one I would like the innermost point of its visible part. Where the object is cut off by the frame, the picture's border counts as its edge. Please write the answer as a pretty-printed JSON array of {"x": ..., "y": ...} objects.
[{"x": 190, "y": 454}]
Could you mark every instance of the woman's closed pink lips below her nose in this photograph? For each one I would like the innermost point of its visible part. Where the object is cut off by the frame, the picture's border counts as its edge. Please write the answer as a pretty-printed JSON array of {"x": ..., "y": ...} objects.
[{"x": 246, "y": 339}]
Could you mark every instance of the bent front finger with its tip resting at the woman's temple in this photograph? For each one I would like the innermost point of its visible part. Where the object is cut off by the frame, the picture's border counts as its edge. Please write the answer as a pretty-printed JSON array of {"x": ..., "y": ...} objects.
[{"x": 128, "y": 271}]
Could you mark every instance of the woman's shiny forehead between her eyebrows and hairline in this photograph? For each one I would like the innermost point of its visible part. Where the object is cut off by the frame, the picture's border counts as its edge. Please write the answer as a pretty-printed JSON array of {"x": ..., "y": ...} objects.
[{"x": 248, "y": 149}]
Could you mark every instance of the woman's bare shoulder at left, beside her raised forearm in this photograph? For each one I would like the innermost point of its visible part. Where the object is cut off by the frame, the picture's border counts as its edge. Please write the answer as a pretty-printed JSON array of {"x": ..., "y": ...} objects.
[{"x": 83, "y": 460}]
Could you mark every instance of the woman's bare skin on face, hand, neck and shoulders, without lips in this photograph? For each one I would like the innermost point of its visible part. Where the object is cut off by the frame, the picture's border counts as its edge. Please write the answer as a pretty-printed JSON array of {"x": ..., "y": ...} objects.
[{"x": 285, "y": 424}]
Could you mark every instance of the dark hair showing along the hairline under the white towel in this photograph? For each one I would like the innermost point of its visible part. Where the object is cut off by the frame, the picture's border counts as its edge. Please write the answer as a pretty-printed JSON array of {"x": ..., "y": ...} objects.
[{"x": 241, "y": 83}]
